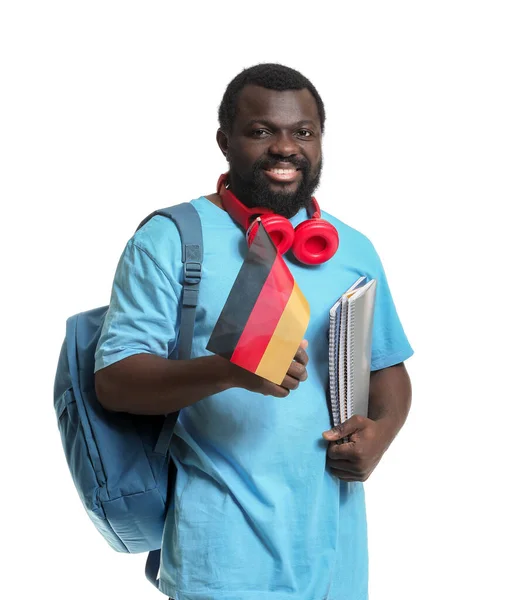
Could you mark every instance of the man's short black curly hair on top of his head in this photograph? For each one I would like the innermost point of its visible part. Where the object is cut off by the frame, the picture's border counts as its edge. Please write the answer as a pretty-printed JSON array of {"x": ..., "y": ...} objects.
[{"x": 271, "y": 76}]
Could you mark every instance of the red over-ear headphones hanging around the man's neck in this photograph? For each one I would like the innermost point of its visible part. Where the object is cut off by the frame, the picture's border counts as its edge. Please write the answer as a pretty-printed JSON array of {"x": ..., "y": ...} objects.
[{"x": 312, "y": 242}]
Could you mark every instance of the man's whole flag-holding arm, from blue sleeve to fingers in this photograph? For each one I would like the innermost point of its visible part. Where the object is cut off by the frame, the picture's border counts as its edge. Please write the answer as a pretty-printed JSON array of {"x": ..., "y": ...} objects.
[{"x": 140, "y": 331}]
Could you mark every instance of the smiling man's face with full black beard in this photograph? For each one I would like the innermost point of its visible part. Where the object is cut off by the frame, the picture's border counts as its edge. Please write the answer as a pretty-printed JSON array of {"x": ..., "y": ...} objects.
[{"x": 274, "y": 149}]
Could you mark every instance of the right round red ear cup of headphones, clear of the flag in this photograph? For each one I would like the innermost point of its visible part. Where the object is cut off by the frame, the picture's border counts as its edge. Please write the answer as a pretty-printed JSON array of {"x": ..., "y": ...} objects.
[{"x": 315, "y": 241}]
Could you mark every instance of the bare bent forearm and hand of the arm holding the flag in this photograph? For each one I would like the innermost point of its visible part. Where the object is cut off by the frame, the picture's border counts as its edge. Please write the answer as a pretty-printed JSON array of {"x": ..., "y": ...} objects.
[{"x": 149, "y": 384}]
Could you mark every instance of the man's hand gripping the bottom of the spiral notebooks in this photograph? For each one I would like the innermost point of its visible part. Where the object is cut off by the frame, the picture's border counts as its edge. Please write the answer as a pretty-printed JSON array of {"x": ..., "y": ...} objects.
[{"x": 354, "y": 460}]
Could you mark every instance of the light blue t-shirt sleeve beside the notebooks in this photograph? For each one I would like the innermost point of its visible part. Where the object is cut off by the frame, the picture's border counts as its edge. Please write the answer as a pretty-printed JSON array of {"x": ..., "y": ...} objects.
[{"x": 390, "y": 345}]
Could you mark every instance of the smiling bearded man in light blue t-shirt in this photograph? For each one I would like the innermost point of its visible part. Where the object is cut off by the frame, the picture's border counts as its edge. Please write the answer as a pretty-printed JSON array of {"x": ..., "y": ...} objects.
[{"x": 262, "y": 507}]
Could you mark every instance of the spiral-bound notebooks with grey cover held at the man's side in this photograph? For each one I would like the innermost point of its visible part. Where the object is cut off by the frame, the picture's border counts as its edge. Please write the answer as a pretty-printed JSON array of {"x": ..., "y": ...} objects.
[{"x": 350, "y": 336}]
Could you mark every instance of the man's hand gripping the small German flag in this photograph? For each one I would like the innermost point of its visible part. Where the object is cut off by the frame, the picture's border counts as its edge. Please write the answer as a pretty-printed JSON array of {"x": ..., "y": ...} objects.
[{"x": 295, "y": 374}]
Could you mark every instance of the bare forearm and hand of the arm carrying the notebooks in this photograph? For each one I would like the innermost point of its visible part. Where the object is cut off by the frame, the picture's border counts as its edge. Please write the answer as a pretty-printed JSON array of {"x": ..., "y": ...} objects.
[{"x": 369, "y": 438}]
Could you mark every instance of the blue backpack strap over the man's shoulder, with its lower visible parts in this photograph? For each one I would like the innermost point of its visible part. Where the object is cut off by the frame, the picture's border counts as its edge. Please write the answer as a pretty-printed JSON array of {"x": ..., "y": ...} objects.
[{"x": 188, "y": 223}]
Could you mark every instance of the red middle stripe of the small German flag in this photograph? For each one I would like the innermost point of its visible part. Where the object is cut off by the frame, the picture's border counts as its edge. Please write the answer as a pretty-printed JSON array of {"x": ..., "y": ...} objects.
[{"x": 264, "y": 317}]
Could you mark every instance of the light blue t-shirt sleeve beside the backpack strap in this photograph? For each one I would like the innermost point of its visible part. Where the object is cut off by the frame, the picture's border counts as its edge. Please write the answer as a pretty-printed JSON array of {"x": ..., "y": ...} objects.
[{"x": 143, "y": 312}]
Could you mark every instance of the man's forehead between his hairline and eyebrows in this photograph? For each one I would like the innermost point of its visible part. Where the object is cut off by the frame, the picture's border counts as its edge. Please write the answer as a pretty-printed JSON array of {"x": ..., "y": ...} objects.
[{"x": 281, "y": 107}]
